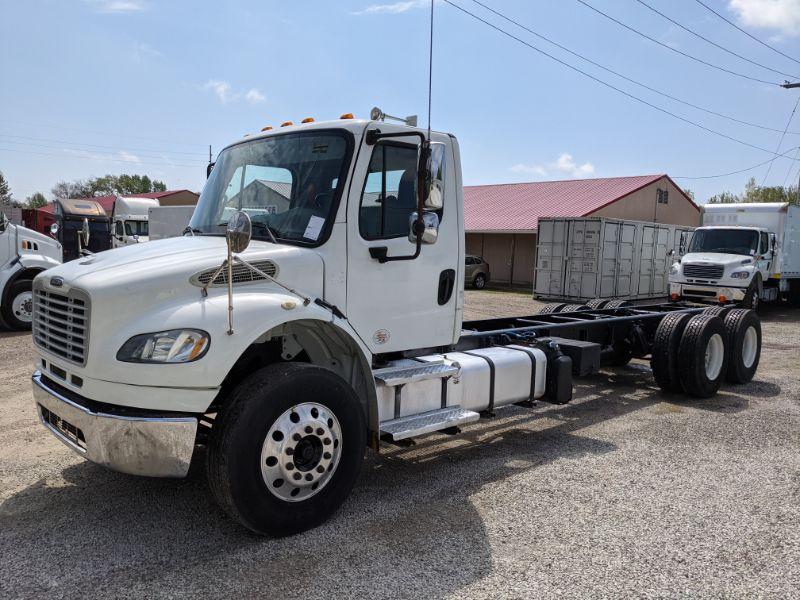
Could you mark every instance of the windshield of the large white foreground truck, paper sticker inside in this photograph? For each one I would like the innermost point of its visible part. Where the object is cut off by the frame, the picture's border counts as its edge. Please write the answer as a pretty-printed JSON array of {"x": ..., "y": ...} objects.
[{"x": 288, "y": 183}]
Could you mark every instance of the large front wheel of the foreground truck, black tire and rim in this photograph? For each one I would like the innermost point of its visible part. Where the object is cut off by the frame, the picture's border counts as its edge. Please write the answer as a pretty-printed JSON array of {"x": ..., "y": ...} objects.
[{"x": 286, "y": 449}]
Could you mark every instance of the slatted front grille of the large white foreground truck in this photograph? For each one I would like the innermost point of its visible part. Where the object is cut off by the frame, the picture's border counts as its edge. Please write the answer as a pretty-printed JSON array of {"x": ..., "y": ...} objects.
[{"x": 61, "y": 323}]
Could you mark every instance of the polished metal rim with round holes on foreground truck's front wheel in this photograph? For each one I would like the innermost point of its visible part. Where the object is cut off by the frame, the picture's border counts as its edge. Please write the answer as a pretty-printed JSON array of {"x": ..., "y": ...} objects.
[{"x": 301, "y": 452}]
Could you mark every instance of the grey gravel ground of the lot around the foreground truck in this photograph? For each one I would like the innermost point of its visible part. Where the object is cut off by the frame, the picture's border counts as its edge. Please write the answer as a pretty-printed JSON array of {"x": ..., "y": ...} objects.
[{"x": 623, "y": 492}]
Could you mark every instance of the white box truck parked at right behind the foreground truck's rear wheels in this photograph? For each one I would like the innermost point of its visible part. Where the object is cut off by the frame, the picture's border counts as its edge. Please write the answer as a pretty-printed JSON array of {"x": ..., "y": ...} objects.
[{"x": 743, "y": 253}]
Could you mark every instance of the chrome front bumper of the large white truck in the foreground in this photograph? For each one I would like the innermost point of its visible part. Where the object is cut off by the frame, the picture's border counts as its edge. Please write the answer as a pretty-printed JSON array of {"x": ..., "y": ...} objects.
[{"x": 150, "y": 446}]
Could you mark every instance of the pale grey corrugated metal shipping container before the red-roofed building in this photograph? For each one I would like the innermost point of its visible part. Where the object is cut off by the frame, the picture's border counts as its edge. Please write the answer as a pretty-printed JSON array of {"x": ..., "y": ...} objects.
[{"x": 595, "y": 257}]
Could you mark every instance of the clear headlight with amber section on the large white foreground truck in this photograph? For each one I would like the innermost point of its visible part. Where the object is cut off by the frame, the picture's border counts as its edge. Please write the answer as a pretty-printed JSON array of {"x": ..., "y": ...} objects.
[{"x": 174, "y": 346}]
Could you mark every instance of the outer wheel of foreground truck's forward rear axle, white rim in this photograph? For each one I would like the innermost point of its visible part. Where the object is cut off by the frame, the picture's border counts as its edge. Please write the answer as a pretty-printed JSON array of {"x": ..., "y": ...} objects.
[{"x": 702, "y": 355}]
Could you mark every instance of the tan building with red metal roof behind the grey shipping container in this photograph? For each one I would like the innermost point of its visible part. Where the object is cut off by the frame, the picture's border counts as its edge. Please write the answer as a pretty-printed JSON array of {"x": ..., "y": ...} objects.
[{"x": 501, "y": 220}]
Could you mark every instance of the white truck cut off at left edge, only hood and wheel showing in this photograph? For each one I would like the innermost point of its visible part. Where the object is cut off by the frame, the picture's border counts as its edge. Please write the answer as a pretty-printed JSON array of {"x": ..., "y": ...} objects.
[{"x": 24, "y": 253}]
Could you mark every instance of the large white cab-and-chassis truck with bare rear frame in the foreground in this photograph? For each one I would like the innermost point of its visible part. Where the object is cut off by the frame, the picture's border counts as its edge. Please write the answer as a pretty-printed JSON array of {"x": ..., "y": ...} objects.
[{"x": 314, "y": 309}]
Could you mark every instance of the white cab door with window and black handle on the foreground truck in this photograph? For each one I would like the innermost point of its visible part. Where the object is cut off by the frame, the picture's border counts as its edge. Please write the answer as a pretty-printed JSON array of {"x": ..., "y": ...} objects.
[{"x": 404, "y": 304}]
